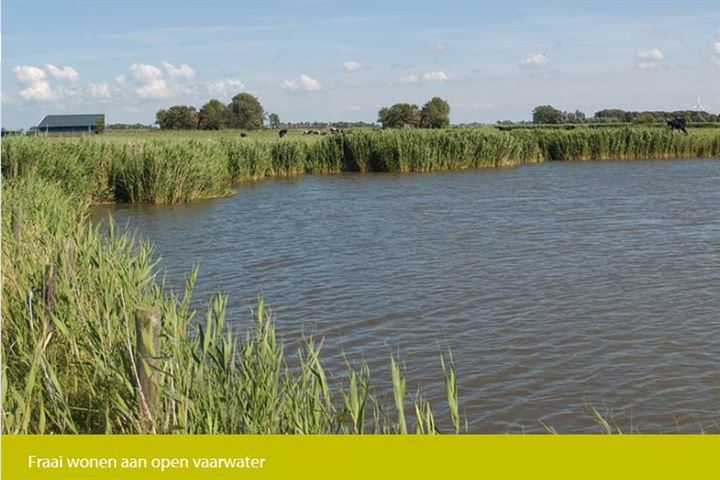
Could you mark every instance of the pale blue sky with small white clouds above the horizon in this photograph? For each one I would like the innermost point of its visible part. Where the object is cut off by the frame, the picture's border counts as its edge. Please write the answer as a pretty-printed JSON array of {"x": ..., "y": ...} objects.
[{"x": 332, "y": 61}]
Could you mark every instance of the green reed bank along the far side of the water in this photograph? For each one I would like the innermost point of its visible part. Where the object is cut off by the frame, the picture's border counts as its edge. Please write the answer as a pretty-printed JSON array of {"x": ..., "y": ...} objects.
[{"x": 158, "y": 167}]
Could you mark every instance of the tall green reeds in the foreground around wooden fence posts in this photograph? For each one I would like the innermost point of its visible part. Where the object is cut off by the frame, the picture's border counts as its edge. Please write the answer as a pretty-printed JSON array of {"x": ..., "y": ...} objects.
[{"x": 70, "y": 349}]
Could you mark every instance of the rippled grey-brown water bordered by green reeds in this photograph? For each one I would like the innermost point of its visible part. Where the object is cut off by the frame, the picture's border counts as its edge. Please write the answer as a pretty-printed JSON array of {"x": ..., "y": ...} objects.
[{"x": 556, "y": 285}]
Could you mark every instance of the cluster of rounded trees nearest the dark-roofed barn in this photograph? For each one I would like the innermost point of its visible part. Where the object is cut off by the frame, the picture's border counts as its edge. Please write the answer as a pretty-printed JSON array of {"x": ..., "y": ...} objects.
[{"x": 244, "y": 111}]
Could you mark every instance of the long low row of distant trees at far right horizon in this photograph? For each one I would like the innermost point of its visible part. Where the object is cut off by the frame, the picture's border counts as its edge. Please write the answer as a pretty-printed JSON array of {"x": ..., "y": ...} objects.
[{"x": 547, "y": 114}]
